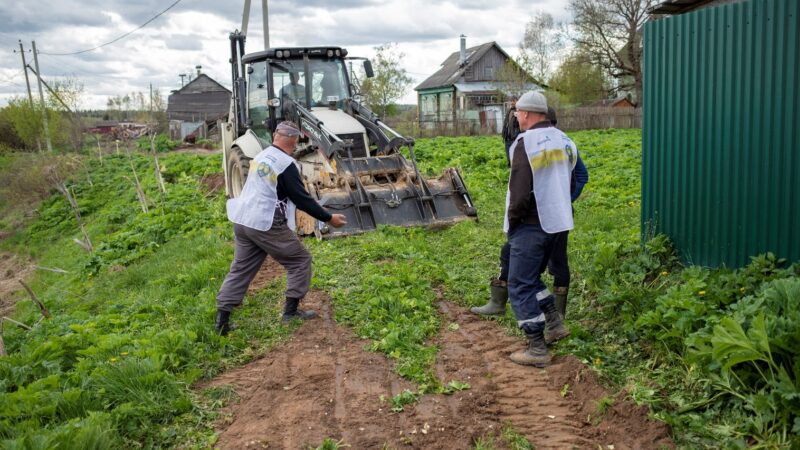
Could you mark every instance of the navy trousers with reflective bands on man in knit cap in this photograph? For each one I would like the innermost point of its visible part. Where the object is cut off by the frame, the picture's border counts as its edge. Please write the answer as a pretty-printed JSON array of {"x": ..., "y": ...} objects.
[{"x": 530, "y": 250}]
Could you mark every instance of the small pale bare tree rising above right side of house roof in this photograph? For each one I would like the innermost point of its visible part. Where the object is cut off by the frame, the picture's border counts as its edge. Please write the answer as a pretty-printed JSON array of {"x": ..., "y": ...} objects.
[{"x": 540, "y": 46}]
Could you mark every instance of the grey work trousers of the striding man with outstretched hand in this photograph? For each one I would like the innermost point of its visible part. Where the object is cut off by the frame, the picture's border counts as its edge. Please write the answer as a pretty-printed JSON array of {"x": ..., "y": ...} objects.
[{"x": 252, "y": 247}]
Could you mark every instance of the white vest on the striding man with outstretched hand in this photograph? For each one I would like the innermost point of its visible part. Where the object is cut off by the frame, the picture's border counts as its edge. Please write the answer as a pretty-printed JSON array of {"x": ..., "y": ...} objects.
[{"x": 255, "y": 207}]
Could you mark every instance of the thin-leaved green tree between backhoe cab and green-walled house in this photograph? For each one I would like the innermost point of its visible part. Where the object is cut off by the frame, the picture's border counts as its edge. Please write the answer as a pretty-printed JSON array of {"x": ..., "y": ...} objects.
[{"x": 390, "y": 82}]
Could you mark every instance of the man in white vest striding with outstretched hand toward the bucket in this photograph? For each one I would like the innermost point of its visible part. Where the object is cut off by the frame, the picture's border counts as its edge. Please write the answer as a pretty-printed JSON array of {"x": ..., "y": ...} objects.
[{"x": 263, "y": 224}]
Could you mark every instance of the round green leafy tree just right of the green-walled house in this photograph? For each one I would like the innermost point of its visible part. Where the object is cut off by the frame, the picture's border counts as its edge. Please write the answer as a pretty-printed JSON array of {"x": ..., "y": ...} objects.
[{"x": 578, "y": 81}]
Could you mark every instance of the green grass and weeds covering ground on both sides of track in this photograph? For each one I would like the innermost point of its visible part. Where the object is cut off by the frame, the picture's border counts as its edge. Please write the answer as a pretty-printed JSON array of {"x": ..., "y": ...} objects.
[{"x": 711, "y": 352}]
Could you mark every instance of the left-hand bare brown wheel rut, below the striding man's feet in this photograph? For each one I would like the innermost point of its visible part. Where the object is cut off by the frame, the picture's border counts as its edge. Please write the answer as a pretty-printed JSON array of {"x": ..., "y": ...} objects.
[{"x": 321, "y": 384}]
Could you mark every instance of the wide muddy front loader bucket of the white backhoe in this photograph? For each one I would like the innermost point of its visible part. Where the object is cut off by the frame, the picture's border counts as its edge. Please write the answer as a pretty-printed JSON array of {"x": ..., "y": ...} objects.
[{"x": 387, "y": 190}]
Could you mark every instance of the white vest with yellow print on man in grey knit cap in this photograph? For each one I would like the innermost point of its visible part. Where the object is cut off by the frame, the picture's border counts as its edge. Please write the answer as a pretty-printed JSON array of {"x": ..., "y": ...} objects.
[{"x": 552, "y": 156}]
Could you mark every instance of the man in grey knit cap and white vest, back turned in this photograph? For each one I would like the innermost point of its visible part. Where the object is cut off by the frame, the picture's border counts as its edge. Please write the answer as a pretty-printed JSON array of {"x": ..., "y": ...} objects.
[{"x": 538, "y": 210}]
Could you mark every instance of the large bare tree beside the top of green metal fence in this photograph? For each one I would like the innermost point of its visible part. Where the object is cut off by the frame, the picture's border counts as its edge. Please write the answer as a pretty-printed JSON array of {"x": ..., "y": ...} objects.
[{"x": 610, "y": 33}]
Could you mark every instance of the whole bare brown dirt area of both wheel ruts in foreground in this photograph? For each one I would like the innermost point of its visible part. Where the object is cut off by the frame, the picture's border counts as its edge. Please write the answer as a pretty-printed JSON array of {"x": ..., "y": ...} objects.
[{"x": 323, "y": 384}]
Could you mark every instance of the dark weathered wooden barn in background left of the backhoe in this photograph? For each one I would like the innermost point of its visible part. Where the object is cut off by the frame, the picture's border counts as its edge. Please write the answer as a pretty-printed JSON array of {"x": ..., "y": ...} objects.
[{"x": 201, "y": 99}]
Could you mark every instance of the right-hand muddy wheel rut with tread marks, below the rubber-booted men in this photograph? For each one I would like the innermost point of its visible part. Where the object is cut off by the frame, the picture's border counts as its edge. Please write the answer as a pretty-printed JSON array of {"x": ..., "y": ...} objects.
[{"x": 531, "y": 399}]
